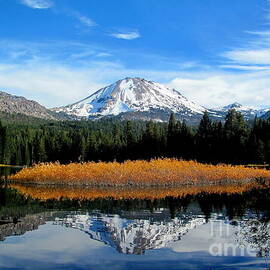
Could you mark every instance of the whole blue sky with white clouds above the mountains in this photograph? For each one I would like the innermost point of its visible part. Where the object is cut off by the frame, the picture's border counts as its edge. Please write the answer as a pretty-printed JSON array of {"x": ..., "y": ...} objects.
[{"x": 215, "y": 52}]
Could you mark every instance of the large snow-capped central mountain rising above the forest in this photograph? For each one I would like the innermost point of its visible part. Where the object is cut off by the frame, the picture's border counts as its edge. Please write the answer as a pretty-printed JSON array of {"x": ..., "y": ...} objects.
[{"x": 132, "y": 95}]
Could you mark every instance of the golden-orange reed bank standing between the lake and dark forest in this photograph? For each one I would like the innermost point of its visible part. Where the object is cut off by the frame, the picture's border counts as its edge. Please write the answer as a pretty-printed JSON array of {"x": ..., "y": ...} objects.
[{"x": 159, "y": 172}]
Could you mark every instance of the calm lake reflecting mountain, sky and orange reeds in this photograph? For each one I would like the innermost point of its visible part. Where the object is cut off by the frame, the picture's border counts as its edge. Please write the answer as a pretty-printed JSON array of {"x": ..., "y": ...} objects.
[{"x": 196, "y": 230}]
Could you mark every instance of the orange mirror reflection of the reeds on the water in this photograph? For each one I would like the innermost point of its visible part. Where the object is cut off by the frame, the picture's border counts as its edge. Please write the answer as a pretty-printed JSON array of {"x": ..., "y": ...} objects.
[{"x": 53, "y": 192}]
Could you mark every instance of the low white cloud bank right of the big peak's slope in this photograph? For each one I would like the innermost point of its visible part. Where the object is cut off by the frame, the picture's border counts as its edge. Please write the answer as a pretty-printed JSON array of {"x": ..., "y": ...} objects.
[{"x": 219, "y": 89}]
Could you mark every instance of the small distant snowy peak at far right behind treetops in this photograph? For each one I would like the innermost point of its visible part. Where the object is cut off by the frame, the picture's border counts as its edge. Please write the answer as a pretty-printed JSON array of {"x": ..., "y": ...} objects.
[{"x": 248, "y": 112}]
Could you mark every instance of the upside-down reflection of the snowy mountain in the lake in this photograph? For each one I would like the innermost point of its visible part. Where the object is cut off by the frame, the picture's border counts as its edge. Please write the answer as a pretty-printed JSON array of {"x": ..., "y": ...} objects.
[{"x": 131, "y": 236}]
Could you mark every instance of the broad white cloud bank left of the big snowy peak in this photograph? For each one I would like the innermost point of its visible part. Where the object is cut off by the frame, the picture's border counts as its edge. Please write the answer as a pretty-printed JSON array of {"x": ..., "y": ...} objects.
[{"x": 51, "y": 84}]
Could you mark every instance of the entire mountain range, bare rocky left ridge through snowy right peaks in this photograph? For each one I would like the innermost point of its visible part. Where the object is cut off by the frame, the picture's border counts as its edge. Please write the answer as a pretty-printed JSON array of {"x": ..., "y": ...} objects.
[{"x": 127, "y": 99}]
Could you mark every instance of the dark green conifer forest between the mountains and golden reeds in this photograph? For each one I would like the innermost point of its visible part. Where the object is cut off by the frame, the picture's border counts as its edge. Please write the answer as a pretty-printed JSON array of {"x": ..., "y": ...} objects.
[{"x": 234, "y": 141}]
